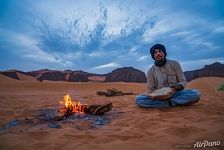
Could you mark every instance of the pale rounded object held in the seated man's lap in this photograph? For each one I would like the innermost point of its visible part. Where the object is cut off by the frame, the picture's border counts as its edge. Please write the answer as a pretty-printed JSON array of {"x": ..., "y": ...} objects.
[{"x": 162, "y": 94}]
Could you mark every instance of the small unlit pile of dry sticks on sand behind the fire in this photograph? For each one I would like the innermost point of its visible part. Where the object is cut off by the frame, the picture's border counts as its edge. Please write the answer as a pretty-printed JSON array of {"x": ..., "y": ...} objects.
[{"x": 113, "y": 92}]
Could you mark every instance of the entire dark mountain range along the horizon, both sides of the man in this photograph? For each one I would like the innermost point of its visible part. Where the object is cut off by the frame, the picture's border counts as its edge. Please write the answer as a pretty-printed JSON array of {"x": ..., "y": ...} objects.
[{"x": 125, "y": 74}]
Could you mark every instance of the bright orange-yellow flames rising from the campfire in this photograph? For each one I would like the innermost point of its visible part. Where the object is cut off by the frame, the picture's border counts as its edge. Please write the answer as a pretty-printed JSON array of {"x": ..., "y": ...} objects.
[{"x": 67, "y": 104}]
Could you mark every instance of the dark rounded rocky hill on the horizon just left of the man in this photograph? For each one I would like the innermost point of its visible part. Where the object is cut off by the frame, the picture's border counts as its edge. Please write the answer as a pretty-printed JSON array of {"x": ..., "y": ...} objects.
[{"x": 126, "y": 74}]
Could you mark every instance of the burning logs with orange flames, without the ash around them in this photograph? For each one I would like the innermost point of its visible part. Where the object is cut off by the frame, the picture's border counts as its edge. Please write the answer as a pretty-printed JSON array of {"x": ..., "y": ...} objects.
[{"x": 68, "y": 107}]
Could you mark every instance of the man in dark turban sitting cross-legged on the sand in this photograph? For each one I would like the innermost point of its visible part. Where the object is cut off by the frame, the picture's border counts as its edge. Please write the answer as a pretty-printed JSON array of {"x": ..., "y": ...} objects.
[{"x": 166, "y": 73}]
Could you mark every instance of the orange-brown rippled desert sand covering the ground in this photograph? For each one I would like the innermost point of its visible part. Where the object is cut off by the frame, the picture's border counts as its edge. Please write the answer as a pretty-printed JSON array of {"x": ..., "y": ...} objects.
[{"x": 132, "y": 128}]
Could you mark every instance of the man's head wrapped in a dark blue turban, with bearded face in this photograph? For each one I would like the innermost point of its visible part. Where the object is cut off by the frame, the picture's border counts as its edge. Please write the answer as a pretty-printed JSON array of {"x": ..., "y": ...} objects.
[{"x": 158, "y": 52}]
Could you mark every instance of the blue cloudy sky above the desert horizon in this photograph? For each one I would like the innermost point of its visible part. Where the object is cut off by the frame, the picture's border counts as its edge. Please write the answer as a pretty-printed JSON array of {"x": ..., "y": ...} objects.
[{"x": 99, "y": 36}]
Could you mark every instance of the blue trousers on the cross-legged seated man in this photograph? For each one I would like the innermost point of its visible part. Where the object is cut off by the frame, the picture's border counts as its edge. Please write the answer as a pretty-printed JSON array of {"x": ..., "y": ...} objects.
[{"x": 181, "y": 98}]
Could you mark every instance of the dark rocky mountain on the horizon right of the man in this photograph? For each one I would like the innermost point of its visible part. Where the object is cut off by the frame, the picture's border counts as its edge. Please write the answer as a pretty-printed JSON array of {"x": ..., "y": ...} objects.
[{"x": 215, "y": 69}]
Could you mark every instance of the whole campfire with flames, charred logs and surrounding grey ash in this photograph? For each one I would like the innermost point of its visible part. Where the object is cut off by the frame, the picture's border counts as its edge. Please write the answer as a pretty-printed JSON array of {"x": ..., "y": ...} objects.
[{"x": 69, "y": 110}]
